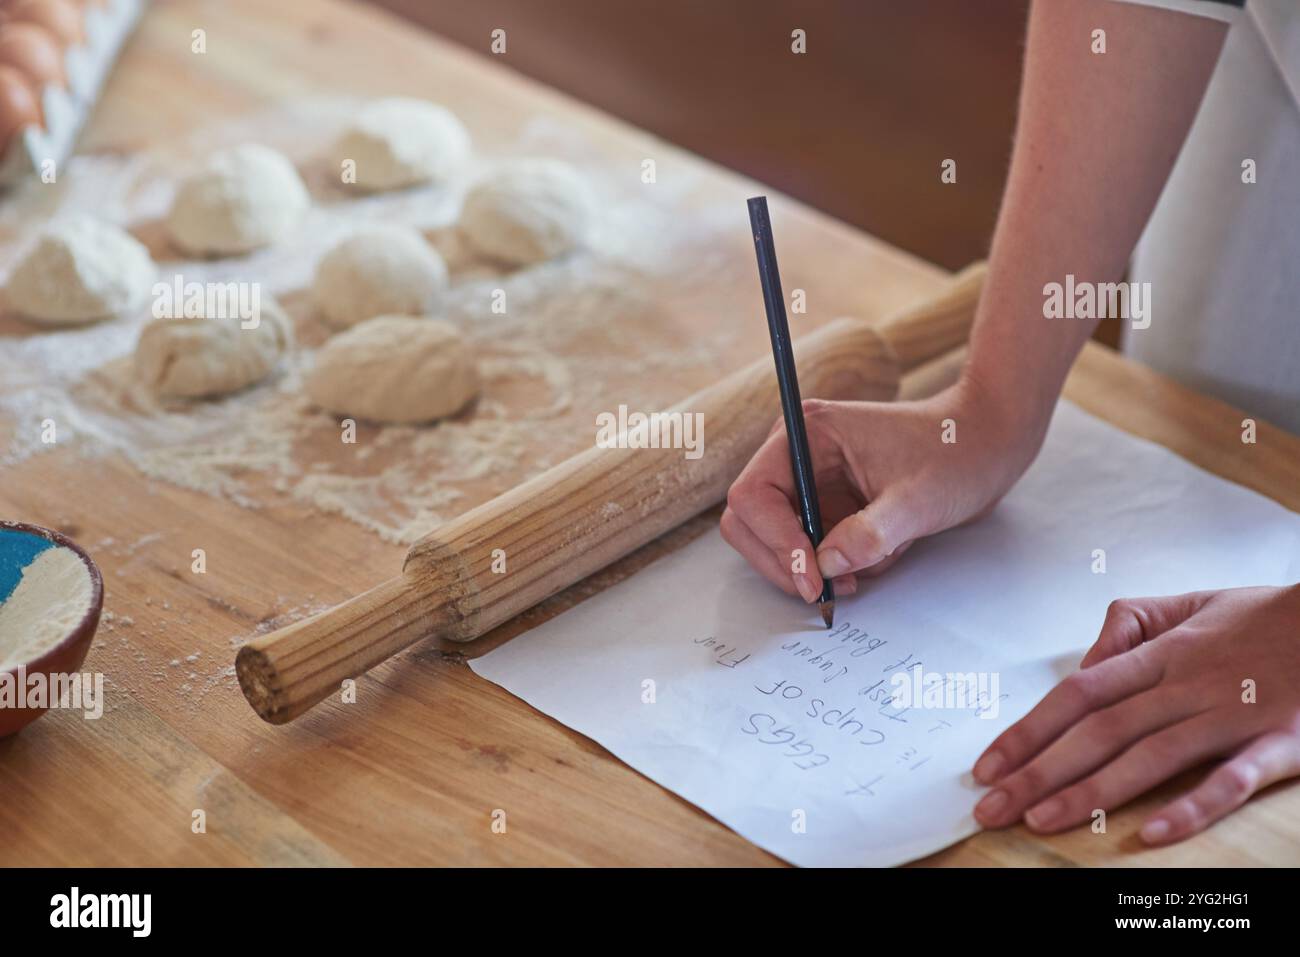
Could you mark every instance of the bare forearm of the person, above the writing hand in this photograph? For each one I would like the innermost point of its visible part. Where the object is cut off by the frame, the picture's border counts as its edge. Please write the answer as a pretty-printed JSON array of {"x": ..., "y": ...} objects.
[{"x": 1097, "y": 138}]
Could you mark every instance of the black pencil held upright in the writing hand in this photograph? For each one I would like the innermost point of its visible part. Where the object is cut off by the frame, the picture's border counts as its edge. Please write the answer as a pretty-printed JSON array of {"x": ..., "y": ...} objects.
[{"x": 783, "y": 353}]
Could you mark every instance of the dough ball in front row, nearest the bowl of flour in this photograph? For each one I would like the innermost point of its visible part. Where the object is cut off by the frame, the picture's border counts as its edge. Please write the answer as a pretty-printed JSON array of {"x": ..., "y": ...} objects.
[{"x": 196, "y": 358}]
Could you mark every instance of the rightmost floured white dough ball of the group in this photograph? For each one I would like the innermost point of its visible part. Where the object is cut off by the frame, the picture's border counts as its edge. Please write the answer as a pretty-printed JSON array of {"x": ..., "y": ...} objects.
[{"x": 528, "y": 211}]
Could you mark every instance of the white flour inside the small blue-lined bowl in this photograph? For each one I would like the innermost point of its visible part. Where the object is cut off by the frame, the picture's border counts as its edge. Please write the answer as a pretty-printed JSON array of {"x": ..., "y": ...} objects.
[{"x": 53, "y": 597}]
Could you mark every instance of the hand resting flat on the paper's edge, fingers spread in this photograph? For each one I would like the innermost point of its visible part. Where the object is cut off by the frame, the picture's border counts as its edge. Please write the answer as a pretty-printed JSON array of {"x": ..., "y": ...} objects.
[{"x": 1162, "y": 691}]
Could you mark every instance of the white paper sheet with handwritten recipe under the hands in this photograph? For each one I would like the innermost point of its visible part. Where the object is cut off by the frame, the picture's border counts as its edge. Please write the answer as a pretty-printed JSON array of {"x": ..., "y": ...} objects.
[{"x": 707, "y": 679}]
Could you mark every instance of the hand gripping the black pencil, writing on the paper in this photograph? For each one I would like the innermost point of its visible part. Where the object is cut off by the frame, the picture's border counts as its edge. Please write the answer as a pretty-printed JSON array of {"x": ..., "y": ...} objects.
[{"x": 886, "y": 477}]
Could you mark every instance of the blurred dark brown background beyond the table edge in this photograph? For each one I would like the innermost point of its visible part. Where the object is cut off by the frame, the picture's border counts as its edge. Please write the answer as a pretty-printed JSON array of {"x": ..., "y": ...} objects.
[{"x": 859, "y": 127}]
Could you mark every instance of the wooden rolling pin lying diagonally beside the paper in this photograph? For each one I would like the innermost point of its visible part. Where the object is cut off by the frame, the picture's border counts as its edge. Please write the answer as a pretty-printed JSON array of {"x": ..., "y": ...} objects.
[{"x": 586, "y": 513}]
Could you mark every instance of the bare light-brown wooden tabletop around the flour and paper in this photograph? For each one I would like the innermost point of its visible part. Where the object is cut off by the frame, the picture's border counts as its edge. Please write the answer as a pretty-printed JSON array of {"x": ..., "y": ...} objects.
[{"x": 413, "y": 773}]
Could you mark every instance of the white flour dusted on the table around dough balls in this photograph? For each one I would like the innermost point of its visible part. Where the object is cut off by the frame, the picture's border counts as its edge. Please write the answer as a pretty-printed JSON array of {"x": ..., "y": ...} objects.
[{"x": 575, "y": 332}]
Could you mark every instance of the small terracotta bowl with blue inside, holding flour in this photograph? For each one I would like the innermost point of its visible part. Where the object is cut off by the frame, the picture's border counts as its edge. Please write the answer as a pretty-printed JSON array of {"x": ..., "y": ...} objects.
[{"x": 51, "y": 595}]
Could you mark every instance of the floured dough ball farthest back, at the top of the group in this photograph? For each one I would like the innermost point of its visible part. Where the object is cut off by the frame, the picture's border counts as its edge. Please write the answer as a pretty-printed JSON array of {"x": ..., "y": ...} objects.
[{"x": 401, "y": 142}]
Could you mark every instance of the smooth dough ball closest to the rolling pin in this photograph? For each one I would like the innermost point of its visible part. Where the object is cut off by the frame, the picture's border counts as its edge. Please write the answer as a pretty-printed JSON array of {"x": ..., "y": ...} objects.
[{"x": 395, "y": 370}]
